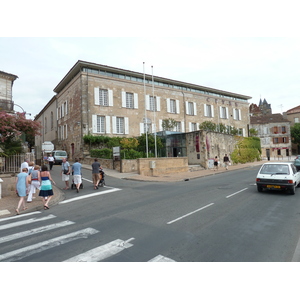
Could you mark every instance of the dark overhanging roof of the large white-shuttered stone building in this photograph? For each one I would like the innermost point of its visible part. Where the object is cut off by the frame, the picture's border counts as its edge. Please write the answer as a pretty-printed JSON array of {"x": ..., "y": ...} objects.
[{"x": 160, "y": 81}]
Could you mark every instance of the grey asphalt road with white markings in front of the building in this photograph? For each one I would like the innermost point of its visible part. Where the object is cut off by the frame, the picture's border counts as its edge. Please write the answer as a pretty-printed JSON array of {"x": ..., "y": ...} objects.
[{"x": 218, "y": 218}]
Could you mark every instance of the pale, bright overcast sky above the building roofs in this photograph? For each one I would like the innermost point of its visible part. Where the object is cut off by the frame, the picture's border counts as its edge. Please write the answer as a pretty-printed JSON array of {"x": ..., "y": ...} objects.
[{"x": 262, "y": 68}]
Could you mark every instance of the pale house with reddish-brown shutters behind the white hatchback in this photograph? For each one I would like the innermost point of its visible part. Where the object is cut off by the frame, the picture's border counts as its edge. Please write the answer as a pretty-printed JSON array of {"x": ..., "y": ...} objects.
[{"x": 274, "y": 133}]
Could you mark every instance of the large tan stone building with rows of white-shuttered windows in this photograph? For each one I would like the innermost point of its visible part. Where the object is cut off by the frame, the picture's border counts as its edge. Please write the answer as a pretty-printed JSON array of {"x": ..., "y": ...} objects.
[{"x": 103, "y": 100}]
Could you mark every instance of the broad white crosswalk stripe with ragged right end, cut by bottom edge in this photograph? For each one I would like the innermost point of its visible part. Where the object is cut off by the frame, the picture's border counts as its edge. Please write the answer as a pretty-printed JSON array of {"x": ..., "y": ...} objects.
[{"x": 102, "y": 252}]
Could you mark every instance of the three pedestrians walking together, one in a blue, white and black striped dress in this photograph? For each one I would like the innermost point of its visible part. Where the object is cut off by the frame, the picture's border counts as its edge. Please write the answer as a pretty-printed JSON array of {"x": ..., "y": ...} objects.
[{"x": 31, "y": 178}]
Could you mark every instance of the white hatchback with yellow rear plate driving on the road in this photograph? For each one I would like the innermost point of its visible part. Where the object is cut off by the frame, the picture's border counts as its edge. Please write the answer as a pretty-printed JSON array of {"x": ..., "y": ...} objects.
[{"x": 278, "y": 176}]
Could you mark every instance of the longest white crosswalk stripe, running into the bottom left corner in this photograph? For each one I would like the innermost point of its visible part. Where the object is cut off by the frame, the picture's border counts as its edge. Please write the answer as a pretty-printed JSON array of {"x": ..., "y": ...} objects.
[{"x": 39, "y": 247}]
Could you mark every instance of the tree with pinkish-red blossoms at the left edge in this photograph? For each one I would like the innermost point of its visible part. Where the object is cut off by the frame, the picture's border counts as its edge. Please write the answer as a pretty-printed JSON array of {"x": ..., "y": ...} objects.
[{"x": 12, "y": 128}]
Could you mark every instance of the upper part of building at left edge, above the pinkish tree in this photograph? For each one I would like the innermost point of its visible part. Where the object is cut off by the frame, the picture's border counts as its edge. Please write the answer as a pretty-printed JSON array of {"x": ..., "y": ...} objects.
[{"x": 6, "y": 84}]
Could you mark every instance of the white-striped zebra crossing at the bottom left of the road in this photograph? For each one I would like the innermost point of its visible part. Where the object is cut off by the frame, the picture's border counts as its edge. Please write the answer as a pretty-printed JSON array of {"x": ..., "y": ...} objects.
[{"x": 35, "y": 227}]
